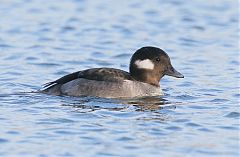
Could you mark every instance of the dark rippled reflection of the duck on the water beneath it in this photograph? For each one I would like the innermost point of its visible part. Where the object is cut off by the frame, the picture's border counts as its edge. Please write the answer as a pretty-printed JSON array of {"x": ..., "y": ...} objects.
[{"x": 90, "y": 104}]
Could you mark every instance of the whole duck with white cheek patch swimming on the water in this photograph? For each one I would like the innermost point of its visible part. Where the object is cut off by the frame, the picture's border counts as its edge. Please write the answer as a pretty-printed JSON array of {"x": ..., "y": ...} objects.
[{"x": 147, "y": 66}]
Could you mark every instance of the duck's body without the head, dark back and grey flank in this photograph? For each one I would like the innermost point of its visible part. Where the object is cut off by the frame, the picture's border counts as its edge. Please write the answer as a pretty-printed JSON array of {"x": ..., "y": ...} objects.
[{"x": 102, "y": 82}]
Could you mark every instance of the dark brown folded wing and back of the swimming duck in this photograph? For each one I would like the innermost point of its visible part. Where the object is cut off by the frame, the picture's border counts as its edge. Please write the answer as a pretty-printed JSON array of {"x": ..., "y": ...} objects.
[{"x": 98, "y": 74}]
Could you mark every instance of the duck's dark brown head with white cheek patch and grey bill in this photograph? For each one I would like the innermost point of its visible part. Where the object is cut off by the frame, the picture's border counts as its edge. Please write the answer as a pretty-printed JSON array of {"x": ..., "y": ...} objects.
[{"x": 150, "y": 64}]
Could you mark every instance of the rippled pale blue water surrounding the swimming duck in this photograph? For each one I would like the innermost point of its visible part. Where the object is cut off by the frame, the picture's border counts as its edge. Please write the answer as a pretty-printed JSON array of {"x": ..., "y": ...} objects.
[{"x": 42, "y": 41}]
